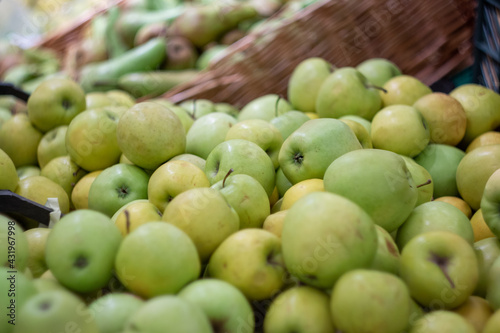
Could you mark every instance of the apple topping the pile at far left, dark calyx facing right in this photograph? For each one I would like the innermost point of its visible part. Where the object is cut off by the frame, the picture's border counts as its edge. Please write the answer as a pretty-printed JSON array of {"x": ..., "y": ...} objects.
[{"x": 55, "y": 102}]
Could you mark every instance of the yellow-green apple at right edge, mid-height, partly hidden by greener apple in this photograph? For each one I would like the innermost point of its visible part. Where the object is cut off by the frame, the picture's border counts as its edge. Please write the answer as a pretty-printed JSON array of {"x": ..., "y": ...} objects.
[{"x": 474, "y": 171}]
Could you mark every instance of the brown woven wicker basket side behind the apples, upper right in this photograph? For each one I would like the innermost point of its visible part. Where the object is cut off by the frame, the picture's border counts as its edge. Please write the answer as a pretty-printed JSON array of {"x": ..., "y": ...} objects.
[{"x": 427, "y": 39}]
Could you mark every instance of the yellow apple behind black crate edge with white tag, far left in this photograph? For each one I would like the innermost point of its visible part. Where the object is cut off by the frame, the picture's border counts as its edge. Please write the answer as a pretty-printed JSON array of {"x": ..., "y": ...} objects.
[{"x": 40, "y": 188}]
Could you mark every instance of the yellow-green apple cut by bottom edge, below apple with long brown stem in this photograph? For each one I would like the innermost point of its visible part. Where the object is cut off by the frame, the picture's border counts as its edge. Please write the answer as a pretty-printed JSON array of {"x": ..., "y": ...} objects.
[{"x": 442, "y": 321}]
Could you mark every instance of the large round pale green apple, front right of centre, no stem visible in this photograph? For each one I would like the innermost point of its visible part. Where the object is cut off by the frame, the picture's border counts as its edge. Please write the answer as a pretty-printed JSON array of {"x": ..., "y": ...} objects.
[{"x": 325, "y": 235}]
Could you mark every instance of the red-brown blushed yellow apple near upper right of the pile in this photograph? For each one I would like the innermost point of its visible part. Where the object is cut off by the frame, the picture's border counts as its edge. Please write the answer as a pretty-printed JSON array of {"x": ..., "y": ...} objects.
[{"x": 445, "y": 117}]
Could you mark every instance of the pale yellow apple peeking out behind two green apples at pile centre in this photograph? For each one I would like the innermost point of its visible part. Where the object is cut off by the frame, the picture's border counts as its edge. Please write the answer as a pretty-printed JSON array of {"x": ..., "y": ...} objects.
[{"x": 260, "y": 132}]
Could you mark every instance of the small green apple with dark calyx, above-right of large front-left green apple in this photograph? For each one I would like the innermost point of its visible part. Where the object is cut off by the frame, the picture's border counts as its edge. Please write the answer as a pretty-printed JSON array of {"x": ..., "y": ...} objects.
[{"x": 117, "y": 186}]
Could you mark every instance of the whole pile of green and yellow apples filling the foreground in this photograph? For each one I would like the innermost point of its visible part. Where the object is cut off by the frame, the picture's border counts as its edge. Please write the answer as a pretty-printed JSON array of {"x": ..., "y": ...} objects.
[{"x": 361, "y": 202}]
